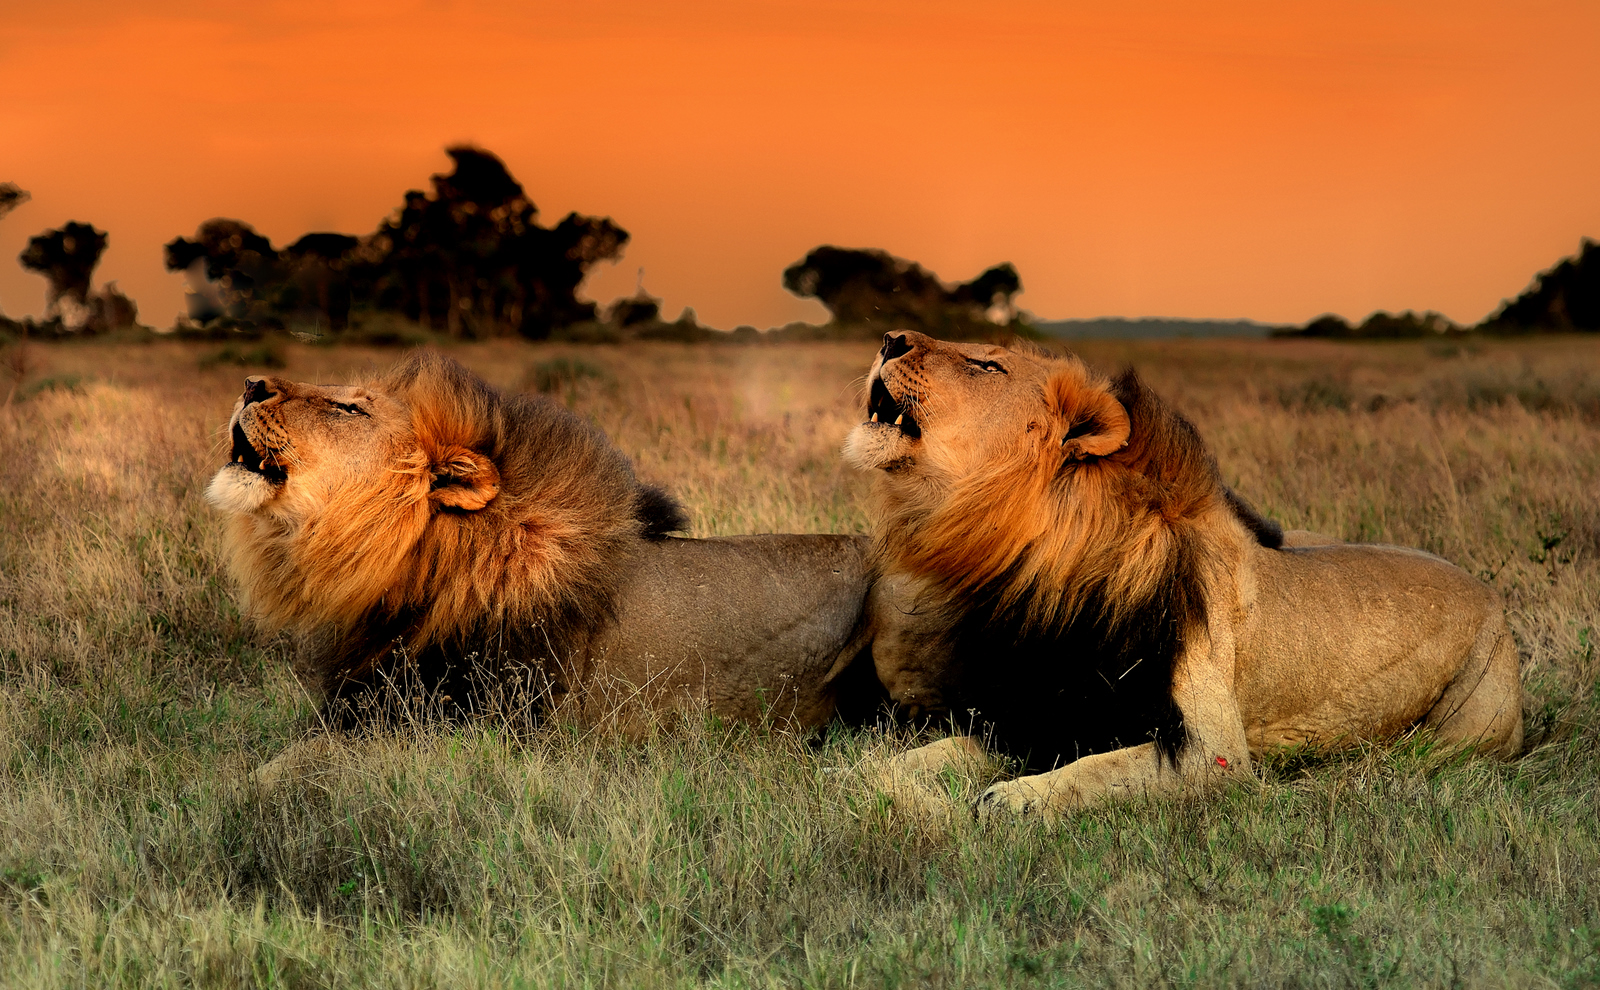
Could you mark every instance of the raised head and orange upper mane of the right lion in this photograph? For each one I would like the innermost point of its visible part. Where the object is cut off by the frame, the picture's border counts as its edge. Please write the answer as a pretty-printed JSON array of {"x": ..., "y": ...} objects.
[{"x": 1023, "y": 477}]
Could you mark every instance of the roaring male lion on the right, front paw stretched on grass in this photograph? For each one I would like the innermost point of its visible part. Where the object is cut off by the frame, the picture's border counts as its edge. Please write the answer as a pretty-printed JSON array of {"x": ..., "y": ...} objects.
[{"x": 1065, "y": 569}]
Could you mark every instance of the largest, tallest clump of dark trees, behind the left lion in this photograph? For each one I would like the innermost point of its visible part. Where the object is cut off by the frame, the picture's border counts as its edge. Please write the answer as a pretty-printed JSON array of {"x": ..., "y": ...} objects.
[{"x": 470, "y": 260}]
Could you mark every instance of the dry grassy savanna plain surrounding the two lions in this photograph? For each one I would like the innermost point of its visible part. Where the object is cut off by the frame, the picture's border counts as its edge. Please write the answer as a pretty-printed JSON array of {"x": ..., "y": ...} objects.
[{"x": 135, "y": 700}]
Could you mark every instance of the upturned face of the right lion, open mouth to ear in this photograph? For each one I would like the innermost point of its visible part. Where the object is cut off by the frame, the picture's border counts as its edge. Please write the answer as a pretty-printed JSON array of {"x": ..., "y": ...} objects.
[{"x": 945, "y": 413}]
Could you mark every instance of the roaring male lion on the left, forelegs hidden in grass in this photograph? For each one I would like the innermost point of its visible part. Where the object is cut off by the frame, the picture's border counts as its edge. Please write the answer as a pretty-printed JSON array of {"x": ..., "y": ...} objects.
[{"x": 434, "y": 540}]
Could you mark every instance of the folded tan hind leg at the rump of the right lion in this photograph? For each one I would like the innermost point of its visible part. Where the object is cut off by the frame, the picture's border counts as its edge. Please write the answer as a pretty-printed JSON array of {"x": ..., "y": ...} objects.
[{"x": 1482, "y": 706}]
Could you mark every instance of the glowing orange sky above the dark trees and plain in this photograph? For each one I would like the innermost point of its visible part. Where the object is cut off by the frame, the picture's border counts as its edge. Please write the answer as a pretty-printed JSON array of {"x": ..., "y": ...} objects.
[{"x": 1214, "y": 159}]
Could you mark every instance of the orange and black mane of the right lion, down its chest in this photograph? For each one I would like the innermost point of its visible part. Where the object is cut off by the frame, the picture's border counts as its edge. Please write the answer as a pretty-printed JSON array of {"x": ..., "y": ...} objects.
[{"x": 1098, "y": 553}]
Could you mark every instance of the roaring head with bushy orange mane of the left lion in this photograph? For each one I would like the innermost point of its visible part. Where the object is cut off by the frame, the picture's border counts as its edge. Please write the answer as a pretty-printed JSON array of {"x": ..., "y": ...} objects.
[{"x": 425, "y": 505}]
